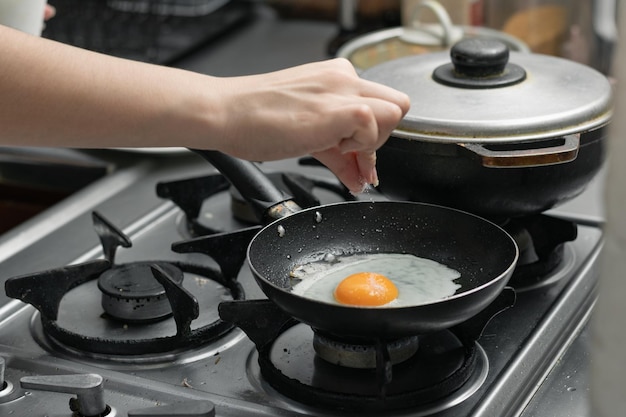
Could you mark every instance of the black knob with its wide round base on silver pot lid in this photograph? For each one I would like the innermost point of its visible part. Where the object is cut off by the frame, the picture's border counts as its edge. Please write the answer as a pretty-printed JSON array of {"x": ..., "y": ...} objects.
[{"x": 479, "y": 63}]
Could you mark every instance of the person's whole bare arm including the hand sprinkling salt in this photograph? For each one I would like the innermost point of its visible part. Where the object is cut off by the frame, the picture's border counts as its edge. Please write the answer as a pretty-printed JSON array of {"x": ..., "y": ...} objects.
[{"x": 53, "y": 94}]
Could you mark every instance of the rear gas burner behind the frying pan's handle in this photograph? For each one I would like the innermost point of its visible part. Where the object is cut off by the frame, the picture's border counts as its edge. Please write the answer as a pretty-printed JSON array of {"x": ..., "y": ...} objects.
[{"x": 206, "y": 212}]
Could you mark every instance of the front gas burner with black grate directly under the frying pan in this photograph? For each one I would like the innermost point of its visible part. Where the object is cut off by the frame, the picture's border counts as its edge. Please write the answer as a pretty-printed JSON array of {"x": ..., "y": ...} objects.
[{"x": 445, "y": 367}]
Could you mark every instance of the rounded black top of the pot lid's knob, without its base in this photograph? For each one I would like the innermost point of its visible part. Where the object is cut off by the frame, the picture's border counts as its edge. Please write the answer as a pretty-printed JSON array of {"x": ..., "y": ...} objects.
[{"x": 479, "y": 57}]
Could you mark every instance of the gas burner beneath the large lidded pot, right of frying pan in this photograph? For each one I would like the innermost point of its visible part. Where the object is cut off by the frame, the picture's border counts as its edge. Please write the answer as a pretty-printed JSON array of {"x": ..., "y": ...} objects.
[{"x": 541, "y": 240}]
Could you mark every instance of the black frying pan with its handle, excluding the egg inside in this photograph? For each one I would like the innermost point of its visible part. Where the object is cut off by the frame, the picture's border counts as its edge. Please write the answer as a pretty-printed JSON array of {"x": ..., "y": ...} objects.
[{"x": 481, "y": 251}]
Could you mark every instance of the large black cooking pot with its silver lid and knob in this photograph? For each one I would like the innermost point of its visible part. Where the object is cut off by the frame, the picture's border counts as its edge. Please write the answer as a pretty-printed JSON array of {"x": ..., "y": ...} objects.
[{"x": 493, "y": 132}]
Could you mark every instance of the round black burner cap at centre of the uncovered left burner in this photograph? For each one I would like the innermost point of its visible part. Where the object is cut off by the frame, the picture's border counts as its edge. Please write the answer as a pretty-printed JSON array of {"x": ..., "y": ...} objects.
[{"x": 131, "y": 293}]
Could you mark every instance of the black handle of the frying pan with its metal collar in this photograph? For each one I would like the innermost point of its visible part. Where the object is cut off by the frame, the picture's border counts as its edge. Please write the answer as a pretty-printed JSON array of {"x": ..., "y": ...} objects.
[{"x": 267, "y": 200}]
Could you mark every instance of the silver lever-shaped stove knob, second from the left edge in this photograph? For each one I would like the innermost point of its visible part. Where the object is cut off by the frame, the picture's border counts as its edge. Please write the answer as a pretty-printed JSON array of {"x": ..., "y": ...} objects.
[{"x": 88, "y": 388}]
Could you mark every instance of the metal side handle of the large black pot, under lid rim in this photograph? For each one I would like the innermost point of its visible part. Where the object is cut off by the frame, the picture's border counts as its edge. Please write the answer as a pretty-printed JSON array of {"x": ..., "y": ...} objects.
[{"x": 537, "y": 156}]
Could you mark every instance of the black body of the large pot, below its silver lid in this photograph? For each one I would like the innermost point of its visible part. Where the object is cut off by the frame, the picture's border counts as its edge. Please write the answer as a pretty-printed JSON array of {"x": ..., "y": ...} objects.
[{"x": 455, "y": 176}]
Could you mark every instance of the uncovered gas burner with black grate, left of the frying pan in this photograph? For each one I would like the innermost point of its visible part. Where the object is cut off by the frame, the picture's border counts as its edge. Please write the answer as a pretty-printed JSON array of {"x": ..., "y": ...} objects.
[{"x": 149, "y": 306}]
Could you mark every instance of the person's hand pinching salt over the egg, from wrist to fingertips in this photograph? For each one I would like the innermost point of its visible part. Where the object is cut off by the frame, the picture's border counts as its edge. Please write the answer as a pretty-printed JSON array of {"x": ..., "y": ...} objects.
[{"x": 323, "y": 109}]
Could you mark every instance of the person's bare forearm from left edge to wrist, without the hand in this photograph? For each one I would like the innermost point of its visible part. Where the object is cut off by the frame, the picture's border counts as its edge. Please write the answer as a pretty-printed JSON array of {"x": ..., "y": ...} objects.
[{"x": 56, "y": 95}]
